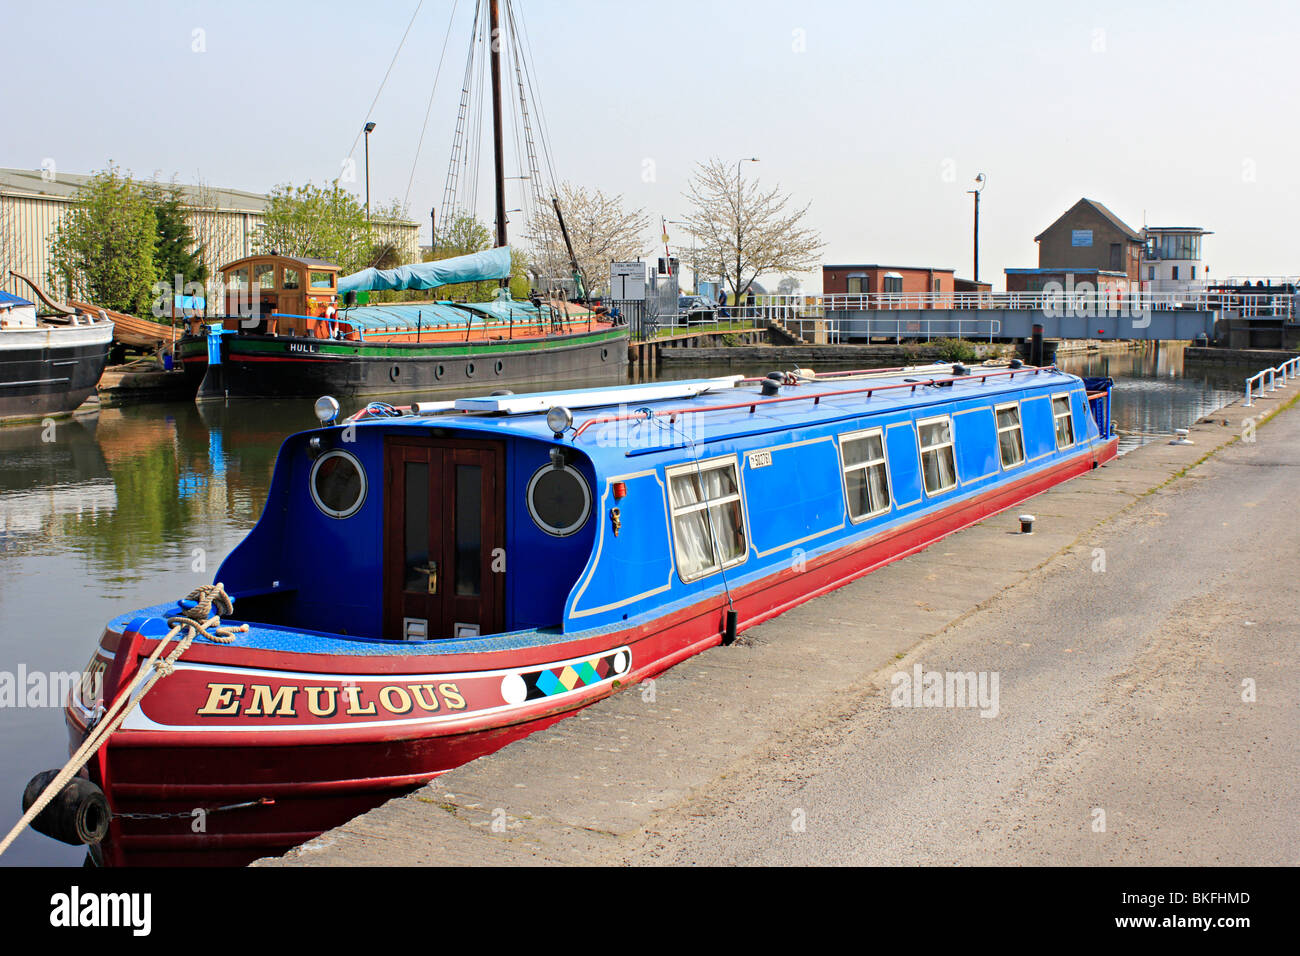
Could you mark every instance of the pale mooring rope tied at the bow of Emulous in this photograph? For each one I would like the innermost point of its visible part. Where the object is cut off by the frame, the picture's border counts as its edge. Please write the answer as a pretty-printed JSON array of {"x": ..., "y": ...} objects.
[{"x": 194, "y": 621}]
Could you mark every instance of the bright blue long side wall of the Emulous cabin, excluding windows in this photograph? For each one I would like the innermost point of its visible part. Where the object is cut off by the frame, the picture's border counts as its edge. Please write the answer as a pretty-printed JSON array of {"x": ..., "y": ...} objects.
[{"x": 795, "y": 492}]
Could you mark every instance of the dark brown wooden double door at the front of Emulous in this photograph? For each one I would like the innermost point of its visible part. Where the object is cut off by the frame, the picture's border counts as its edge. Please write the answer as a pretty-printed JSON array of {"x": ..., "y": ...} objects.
[{"x": 444, "y": 539}]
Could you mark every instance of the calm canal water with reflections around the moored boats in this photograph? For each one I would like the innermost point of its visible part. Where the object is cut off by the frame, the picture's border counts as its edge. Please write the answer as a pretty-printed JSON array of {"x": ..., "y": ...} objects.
[{"x": 133, "y": 507}]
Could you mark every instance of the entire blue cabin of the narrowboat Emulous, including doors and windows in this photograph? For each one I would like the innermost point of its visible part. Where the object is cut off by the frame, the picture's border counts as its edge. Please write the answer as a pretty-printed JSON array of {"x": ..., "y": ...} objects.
[{"x": 614, "y": 527}]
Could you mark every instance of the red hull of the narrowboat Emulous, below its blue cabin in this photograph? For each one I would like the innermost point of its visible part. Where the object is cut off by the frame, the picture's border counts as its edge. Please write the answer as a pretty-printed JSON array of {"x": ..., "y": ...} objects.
[{"x": 319, "y": 776}]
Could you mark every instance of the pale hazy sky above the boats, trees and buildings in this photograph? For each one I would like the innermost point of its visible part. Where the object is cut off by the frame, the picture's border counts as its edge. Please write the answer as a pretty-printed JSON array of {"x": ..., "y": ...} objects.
[{"x": 879, "y": 115}]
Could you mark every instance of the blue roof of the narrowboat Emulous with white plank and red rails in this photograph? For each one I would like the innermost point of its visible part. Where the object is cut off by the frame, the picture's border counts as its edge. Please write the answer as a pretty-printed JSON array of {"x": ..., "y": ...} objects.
[{"x": 720, "y": 409}]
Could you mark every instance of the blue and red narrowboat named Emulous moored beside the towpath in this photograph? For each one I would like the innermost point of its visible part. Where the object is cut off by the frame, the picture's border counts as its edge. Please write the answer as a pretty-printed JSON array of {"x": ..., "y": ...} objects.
[{"x": 431, "y": 583}]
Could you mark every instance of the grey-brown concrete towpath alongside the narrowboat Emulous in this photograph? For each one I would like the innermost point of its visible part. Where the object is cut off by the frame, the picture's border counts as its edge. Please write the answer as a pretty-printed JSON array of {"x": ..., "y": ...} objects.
[{"x": 1143, "y": 642}]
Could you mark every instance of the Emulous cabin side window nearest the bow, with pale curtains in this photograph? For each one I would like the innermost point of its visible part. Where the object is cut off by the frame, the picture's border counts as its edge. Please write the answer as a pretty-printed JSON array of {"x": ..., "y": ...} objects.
[{"x": 708, "y": 521}]
